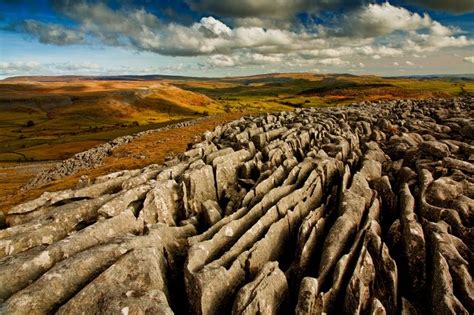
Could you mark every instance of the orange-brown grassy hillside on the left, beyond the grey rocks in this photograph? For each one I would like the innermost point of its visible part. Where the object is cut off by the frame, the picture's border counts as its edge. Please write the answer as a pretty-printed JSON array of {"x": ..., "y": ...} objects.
[{"x": 72, "y": 117}]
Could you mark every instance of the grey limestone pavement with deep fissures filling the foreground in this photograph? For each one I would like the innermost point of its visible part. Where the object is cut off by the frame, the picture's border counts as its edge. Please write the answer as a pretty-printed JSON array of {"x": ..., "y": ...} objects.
[{"x": 360, "y": 209}]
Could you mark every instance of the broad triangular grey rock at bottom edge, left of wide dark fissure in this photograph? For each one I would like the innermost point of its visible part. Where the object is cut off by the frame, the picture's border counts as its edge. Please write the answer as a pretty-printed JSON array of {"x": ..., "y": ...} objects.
[{"x": 135, "y": 283}]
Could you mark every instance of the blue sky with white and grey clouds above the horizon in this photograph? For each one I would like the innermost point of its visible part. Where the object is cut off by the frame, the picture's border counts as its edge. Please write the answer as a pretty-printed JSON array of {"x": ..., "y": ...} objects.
[{"x": 214, "y": 38}]
